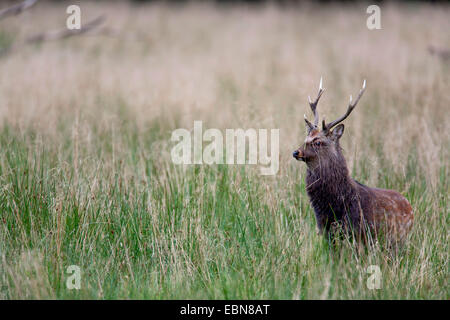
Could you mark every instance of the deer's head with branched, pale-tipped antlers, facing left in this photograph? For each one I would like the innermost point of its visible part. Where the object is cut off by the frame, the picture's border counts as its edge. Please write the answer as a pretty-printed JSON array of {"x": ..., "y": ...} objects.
[{"x": 323, "y": 145}]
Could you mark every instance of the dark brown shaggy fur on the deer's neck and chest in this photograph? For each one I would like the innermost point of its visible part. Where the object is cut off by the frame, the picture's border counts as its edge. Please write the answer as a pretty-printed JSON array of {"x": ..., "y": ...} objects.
[{"x": 332, "y": 192}]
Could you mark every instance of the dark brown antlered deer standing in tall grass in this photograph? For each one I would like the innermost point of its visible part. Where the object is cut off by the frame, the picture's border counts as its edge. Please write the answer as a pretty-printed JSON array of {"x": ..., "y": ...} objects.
[{"x": 339, "y": 201}]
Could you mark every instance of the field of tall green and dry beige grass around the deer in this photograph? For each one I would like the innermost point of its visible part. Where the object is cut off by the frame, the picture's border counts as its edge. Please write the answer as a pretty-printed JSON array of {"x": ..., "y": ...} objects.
[{"x": 86, "y": 176}]
